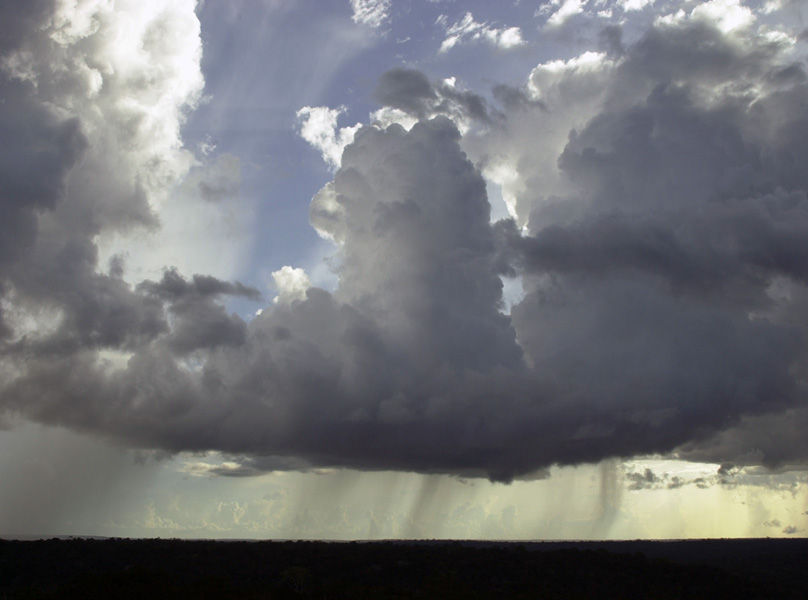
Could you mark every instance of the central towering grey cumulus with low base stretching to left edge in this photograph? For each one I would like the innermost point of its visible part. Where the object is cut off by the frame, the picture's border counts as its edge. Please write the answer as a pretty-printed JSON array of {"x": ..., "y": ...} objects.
[{"x": 416, "y": 312}]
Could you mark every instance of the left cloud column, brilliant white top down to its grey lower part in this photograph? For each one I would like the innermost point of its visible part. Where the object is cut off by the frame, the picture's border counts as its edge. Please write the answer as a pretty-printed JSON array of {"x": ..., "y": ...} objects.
[{"x": 95, "y": 97}]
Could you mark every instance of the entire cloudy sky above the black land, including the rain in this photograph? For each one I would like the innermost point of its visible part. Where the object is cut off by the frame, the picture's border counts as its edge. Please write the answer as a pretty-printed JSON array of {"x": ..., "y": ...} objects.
[{"x": 374, "y": 269}]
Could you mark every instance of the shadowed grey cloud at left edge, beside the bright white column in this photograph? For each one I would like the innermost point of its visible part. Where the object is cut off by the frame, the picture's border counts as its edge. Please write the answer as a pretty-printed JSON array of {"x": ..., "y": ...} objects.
[{"x": 58, "y": 193}]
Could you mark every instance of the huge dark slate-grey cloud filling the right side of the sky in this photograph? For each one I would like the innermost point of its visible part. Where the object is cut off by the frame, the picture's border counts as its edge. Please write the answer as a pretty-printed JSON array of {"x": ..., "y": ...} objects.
[{"x": 687, "y": 211}]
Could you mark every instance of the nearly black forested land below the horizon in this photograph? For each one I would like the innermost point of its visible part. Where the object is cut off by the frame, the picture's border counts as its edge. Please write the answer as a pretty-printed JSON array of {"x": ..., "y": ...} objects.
[{"x": 123, "y": 568}]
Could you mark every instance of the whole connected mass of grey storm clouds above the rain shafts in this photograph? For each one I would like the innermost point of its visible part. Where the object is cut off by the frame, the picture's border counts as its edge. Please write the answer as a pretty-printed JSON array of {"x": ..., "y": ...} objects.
[{"x": 660, "y": 222}]
